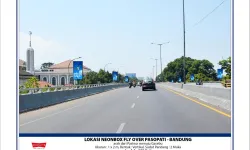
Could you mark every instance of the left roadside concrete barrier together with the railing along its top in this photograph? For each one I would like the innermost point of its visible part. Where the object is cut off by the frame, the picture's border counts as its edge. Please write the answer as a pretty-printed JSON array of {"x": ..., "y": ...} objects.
[{"x": 42, "y": 97}]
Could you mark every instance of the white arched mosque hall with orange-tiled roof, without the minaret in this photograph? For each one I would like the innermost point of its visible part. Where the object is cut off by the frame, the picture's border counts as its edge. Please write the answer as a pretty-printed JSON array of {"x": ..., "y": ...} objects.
[{"x": 60, "y": 74}]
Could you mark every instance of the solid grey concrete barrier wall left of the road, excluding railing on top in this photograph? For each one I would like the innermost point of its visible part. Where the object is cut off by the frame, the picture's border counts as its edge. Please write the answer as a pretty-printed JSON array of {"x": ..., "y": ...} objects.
[{"x": 35, "y": 101}]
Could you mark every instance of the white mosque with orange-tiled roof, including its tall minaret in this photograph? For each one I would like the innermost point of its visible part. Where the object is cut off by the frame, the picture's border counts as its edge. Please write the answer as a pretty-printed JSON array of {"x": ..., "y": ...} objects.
[{"x": 56, "y": 75}]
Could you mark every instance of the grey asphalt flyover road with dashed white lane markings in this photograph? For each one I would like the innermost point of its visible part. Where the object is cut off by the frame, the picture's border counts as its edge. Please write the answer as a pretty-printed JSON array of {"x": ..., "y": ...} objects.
[{"x": 126, "y": 110}]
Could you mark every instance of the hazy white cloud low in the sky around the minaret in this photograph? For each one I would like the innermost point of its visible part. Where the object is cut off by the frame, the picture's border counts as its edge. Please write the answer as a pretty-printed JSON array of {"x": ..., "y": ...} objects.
[{"x": 45, "y": 50}]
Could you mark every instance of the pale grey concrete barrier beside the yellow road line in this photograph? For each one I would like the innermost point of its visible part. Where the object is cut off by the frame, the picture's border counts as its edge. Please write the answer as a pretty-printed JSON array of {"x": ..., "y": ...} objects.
[{"x": 220, "y": 97}]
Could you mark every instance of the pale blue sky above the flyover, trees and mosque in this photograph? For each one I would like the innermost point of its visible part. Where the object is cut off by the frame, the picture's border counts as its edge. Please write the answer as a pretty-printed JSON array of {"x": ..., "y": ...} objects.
[{"x": 121, "y": 32}]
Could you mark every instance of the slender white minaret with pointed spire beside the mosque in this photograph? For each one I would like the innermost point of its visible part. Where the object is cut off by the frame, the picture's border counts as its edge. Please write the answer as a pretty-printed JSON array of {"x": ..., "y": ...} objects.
[{"x": 30, "y": 57}]
